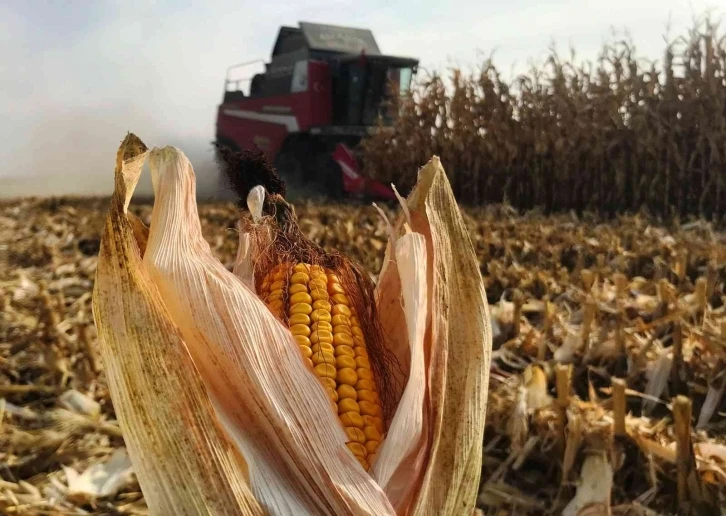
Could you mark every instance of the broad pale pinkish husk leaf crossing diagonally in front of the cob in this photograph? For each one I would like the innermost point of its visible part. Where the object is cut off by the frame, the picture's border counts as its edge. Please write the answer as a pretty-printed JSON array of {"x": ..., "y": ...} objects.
[{"x": 271, "y": 405}]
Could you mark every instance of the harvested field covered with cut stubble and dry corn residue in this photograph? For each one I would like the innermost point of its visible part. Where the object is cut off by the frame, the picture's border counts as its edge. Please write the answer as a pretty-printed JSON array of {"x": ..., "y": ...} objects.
[{"x": 607, "y": 376}]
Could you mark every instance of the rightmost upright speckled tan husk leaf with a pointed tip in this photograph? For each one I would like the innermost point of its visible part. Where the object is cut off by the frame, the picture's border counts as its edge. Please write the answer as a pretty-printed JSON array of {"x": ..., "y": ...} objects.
[{"x": 459, "y": 336}]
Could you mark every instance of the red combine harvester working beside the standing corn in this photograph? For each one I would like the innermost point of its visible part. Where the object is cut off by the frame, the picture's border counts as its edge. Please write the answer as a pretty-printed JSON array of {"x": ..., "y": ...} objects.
[{"x": 319, "y": 96}]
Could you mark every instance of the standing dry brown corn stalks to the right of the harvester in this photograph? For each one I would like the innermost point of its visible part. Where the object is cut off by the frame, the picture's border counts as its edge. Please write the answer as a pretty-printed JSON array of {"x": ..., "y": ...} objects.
[{"x": 618, "y": 135}]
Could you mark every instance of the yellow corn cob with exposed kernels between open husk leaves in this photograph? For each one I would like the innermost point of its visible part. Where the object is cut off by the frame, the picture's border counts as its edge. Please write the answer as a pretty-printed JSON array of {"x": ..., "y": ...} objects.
[{"x": 323, "y": 321}]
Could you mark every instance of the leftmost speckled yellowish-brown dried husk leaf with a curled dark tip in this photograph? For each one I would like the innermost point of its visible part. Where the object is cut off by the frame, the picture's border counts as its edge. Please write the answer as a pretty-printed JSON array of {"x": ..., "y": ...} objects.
[{"x": 183, "y": 462}]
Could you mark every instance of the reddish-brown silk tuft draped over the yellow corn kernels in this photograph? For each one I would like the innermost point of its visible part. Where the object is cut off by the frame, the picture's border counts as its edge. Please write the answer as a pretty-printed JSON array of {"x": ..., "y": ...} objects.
[{"x": 280, "y": 243}]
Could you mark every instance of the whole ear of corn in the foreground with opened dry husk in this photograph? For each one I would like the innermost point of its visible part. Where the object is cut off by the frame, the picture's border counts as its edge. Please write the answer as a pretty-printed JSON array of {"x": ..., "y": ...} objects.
[{"x": 298, "y": 386}]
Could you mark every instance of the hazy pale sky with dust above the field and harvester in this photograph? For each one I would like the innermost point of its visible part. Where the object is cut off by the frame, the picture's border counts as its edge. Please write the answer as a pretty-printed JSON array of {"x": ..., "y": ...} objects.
[{"x": 76, "y": 76}]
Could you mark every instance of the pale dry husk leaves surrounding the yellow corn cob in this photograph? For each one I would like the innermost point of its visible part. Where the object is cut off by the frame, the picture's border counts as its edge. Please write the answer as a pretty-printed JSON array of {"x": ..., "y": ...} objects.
[{"x": 278, "y": 428}]
